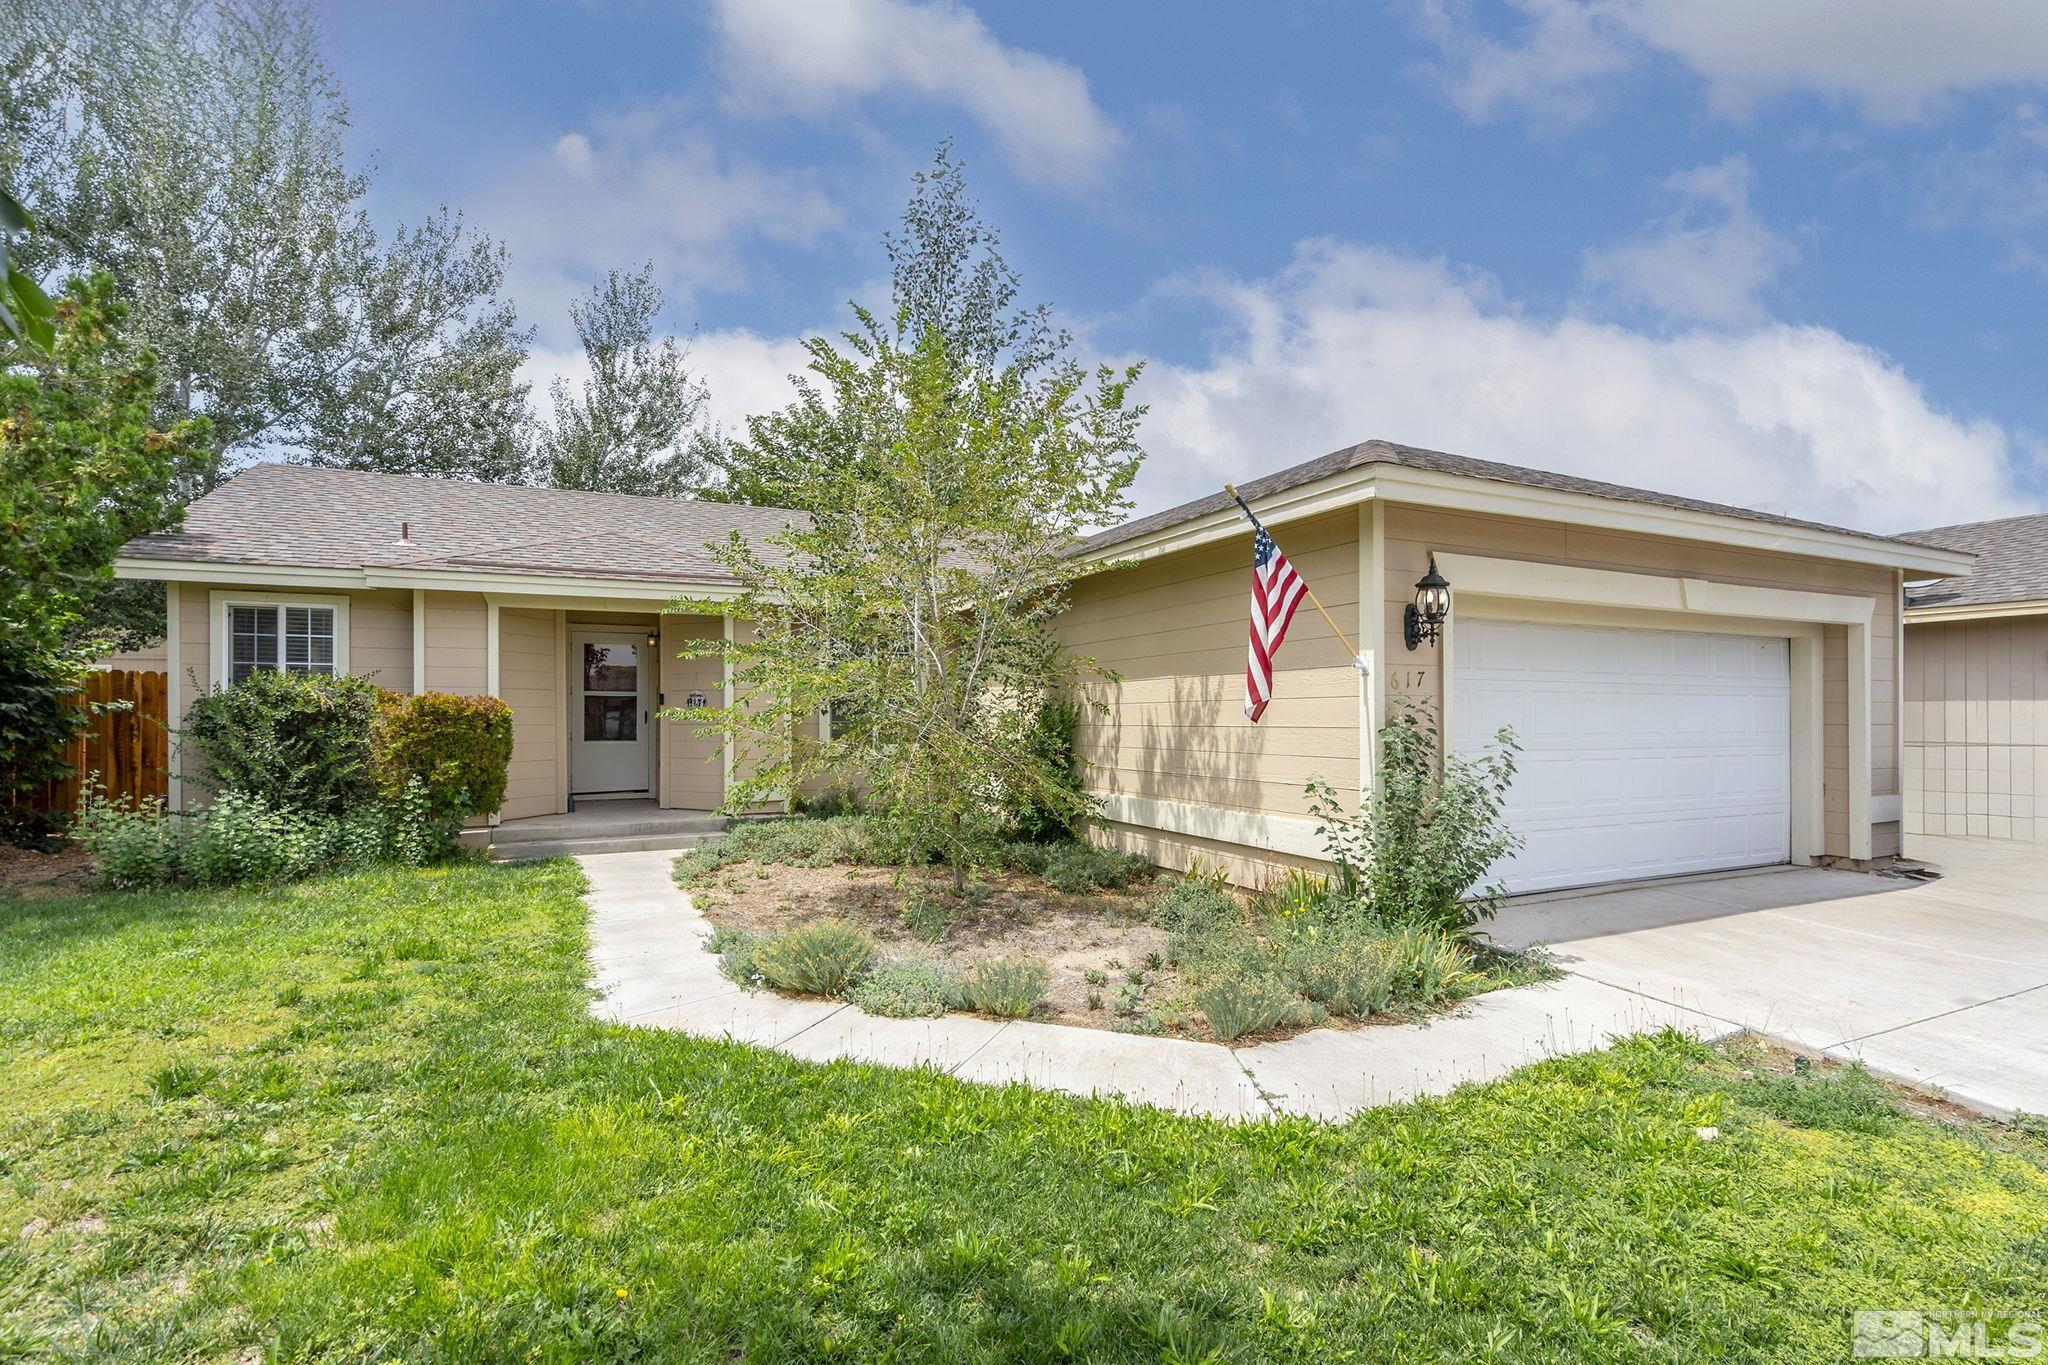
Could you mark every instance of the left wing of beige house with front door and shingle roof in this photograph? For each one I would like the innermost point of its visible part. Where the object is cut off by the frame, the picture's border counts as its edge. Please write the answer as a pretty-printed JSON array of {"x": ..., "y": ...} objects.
[{"x": 548, "y": 599}]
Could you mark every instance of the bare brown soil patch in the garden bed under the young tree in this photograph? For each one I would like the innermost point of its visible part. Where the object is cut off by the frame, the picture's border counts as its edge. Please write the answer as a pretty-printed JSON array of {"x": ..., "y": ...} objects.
[{"x": 1105, "y": 932}]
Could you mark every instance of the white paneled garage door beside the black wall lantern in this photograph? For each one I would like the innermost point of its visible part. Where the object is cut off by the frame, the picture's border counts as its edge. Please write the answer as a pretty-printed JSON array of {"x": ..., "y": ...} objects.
[{"x": 1644, "y": 752}]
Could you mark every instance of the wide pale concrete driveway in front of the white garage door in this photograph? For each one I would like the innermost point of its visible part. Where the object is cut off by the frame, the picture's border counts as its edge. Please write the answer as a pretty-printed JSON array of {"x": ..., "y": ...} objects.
[{"x": 1938, "y": 983}]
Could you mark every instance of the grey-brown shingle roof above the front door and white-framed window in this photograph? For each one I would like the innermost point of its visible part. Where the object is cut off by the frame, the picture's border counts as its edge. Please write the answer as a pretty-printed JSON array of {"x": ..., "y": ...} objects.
[{"x": 345, "y": 519}]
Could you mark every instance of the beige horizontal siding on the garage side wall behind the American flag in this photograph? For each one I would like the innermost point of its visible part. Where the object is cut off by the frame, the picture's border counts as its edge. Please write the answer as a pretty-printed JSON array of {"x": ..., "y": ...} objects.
[{"x": 1172, "y": 723}]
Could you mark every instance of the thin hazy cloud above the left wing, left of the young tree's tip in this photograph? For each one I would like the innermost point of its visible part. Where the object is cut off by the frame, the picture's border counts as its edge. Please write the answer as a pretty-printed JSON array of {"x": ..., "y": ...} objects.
[{"x": 644, "y": 185}]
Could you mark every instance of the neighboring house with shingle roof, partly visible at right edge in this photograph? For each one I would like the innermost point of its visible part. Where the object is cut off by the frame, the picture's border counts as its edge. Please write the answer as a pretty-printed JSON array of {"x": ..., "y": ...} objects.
[{"x": 1977, "y": 687}]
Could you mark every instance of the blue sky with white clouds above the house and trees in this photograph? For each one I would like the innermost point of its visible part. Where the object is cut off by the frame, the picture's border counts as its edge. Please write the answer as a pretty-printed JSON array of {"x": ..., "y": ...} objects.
[{"x": 1777, "y": 253}]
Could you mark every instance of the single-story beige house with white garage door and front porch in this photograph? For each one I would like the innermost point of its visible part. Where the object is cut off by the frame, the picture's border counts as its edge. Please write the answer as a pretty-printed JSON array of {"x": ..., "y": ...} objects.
[{"x": 1695, "y": 687}]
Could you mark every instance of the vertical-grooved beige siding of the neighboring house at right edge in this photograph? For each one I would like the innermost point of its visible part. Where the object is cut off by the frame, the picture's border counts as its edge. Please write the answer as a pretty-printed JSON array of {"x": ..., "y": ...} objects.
[{"x": 1977, "y": 728}]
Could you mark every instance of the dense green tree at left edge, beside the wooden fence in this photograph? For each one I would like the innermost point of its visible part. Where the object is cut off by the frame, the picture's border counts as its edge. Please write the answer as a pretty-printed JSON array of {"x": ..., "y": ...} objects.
[{"x": 83, "y": 470}]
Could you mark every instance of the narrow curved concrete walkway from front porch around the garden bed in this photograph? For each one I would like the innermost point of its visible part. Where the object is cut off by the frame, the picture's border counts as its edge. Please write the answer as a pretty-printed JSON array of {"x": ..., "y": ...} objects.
[{"x": 652, "y": 971}]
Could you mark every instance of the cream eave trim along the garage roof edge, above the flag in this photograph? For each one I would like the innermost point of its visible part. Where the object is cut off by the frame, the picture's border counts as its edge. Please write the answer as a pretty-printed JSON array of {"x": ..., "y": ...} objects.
[{"x": 1519, "y": 500}]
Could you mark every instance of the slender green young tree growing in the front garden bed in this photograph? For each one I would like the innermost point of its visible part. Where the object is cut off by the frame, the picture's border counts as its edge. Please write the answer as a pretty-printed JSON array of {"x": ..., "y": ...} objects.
[{"x": 953, "y": 459}]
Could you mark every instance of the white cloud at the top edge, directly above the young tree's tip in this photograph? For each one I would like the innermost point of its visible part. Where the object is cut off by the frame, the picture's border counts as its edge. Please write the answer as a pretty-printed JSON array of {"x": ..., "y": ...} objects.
[{"x": 820, "y": 58}]
